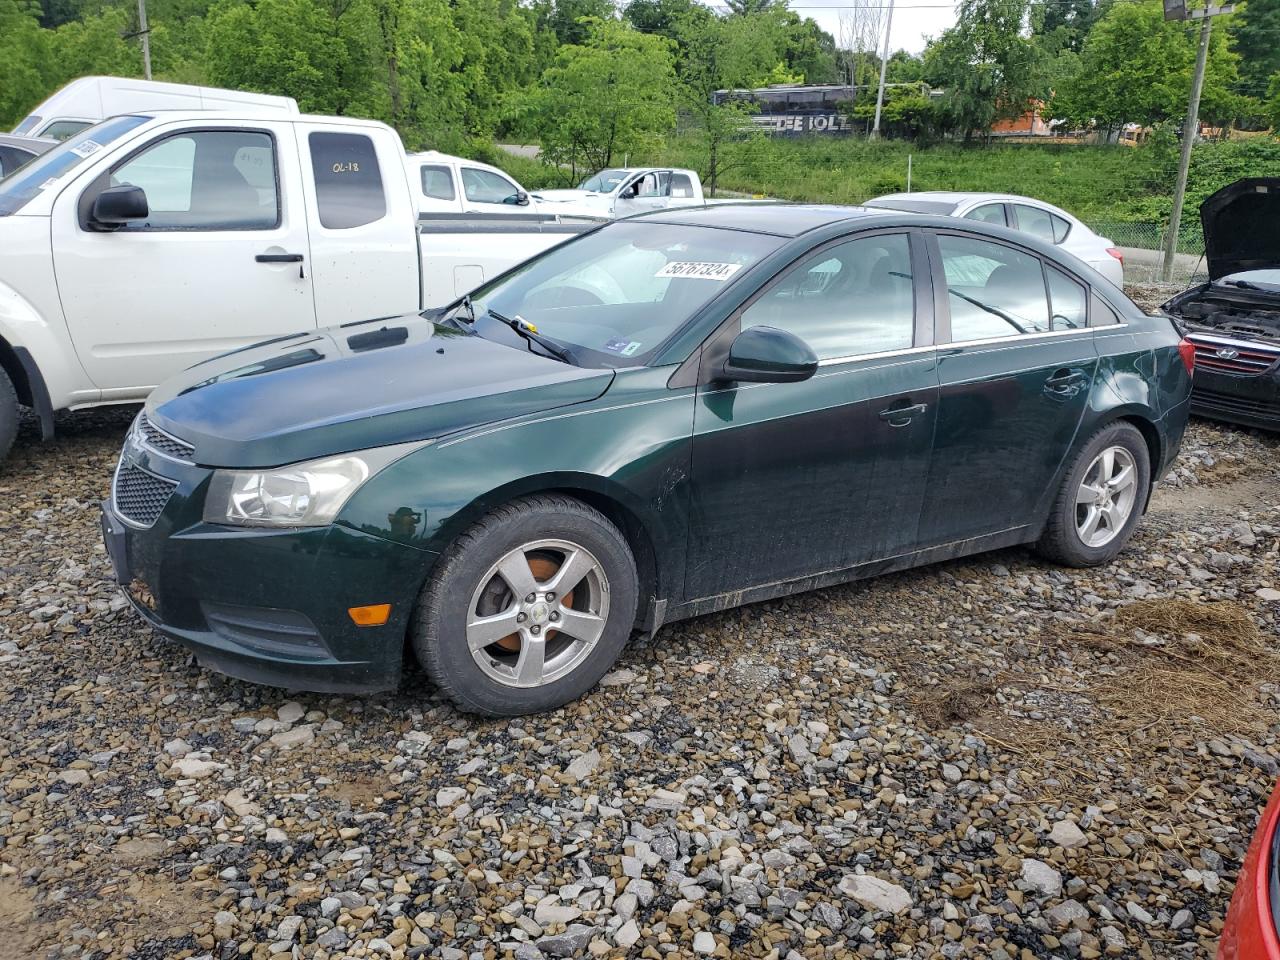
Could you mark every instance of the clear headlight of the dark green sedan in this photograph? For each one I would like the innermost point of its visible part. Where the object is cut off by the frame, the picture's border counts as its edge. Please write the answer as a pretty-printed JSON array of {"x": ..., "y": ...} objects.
[{"x": 301, "y": 495}]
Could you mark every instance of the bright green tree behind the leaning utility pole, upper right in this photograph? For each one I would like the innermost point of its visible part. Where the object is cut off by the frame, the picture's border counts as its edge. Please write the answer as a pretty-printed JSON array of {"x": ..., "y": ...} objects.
[{"x": 1136, "y": 67}]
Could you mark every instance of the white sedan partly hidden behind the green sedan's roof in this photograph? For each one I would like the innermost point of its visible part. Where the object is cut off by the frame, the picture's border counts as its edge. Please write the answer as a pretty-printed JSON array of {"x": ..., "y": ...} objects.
[{"x": 1035, "y": 217}]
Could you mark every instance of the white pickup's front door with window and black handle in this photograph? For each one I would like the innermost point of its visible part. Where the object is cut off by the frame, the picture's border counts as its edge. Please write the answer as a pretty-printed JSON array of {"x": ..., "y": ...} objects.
[{"x": 217, "y": 264}]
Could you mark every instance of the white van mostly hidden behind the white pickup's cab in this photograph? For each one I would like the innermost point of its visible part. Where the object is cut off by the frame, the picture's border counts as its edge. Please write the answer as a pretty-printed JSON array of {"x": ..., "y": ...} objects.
[{"x": 85, "y": 102}]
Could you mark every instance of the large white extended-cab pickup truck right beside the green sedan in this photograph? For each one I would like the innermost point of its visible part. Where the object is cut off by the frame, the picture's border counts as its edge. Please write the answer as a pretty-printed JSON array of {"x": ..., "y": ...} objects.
[{"x": 150, "y": 243}]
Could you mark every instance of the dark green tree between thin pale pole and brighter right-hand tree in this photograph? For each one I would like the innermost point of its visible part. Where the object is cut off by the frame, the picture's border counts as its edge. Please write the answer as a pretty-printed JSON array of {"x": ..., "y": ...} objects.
[{"x": 989, "y": 68}]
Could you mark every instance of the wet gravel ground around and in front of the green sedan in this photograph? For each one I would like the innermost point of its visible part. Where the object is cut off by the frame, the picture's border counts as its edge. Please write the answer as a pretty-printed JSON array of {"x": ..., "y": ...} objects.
[{"x": 991, "y": 757}]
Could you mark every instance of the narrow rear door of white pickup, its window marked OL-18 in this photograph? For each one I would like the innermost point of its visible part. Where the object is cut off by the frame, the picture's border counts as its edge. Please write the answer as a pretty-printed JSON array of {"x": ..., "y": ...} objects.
[{"x": 363, "y": 223}]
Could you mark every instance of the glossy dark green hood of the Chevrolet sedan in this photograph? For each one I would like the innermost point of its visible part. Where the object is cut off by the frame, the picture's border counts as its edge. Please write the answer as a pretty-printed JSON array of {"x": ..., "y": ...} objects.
[{"x": 359, "y": 386}]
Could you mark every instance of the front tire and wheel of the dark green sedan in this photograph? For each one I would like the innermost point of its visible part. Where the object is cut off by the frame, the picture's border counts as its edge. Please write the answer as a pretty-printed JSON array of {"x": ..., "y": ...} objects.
[{"x": 469, "y": 601}]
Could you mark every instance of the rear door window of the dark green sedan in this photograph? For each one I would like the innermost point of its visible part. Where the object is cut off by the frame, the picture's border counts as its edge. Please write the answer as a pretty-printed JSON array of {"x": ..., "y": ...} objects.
[{"x": 993, "y": 290}]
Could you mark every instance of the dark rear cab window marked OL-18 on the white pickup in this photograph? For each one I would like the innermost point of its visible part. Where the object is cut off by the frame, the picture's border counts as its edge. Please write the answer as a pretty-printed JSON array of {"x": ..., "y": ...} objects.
[{"x": 349, "y": 181}]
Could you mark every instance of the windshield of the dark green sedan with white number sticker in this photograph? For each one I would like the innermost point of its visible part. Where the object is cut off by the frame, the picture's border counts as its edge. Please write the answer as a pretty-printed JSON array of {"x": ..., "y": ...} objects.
[{"x": 614, "y": 296}]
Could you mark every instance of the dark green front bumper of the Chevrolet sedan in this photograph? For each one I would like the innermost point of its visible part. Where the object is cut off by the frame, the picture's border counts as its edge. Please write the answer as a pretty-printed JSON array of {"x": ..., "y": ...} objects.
[{"x": 268, "y": 606}]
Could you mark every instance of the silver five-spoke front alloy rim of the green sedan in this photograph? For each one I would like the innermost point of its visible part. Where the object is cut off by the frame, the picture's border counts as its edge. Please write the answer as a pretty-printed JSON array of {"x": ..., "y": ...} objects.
[{"x": 538, "y": 614}]
